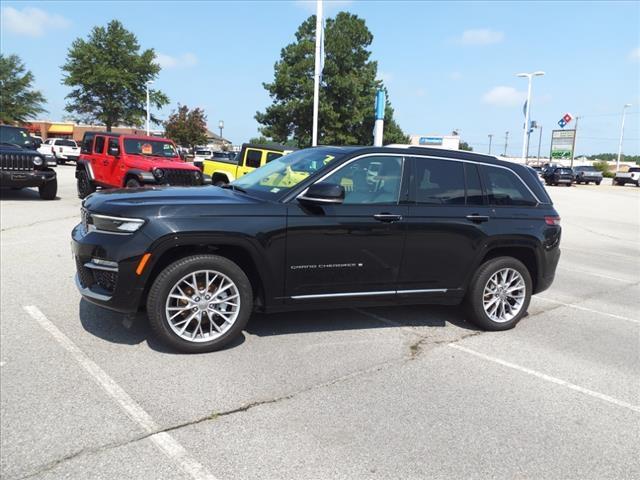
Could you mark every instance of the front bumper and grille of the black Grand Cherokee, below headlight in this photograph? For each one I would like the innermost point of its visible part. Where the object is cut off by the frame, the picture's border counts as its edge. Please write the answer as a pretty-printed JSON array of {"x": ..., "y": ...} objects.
[{"x": 111, "y": 281}]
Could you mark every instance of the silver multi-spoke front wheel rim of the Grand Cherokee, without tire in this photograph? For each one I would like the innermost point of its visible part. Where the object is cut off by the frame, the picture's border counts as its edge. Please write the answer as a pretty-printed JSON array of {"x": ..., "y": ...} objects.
[{"x": 202, "y": 306}]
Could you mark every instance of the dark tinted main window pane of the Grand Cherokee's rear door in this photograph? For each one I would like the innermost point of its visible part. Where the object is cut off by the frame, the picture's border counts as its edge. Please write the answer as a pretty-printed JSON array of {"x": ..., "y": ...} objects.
[{"x": 438, "y": 182}]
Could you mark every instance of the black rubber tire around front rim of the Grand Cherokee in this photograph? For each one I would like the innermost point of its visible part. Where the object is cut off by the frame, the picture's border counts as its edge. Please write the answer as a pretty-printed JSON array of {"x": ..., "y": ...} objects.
[{"x": 166, "y": 280}]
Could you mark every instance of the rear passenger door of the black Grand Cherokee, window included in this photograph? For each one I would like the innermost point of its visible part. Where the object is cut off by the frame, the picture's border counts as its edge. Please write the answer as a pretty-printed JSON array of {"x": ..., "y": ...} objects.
[{"x": 446, "y": 226}]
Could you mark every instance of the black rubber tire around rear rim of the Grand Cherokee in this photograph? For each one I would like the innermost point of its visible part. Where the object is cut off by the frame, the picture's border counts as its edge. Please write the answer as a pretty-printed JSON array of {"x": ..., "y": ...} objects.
[{"x": 473, "y": 302}]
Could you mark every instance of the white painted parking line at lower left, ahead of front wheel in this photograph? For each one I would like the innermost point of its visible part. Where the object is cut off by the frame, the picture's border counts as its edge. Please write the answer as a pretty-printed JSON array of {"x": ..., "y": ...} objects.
[{"x": 163, "y": 441}]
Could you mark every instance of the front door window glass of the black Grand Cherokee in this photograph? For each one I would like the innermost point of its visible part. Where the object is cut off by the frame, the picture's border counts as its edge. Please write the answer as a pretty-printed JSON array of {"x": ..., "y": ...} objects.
[{"x": 370, "y": 180}]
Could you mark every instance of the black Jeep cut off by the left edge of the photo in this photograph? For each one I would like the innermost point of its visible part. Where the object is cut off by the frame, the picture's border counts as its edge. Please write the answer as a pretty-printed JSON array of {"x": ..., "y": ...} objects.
[{"x": 22, "y": 166}]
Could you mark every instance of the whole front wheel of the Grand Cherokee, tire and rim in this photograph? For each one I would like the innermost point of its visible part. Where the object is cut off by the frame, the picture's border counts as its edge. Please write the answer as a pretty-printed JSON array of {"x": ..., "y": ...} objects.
[{"x": 200, "y": 303}]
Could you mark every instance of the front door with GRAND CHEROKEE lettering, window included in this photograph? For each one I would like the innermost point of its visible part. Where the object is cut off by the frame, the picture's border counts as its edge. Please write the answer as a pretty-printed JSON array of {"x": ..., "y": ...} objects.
[{"x": 353, "y": 249}]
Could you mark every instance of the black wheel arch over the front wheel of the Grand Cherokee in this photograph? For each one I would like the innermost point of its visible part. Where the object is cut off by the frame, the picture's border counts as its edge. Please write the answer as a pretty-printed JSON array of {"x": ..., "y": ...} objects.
[{"x": 224, "y": 239}]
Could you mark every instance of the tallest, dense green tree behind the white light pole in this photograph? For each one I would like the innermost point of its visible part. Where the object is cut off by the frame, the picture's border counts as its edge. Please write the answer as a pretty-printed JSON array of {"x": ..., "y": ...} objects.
[{"x": 347, "y": 90}]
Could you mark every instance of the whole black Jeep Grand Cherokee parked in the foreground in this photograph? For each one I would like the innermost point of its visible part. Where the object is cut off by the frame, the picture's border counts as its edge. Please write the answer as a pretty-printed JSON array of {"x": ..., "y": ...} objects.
[{"x": 318, "y": 228}]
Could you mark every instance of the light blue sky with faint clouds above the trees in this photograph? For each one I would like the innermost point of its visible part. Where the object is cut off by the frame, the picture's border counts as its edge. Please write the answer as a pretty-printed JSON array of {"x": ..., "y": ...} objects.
[{"x": 447, "y": 65}]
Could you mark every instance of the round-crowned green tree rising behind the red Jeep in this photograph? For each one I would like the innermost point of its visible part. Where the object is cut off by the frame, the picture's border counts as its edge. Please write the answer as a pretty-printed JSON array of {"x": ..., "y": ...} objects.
[{"x": 108, "y": 76}]
